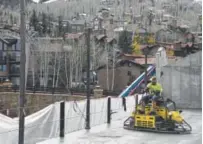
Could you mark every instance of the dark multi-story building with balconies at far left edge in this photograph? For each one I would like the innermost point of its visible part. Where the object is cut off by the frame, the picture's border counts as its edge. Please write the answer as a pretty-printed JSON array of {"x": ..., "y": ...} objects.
[{"x": 10, "y": 60}]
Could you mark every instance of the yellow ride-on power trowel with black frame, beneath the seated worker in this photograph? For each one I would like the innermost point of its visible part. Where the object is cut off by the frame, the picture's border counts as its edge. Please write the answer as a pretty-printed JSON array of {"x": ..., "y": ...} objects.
[{"x": 166, "y": 118}]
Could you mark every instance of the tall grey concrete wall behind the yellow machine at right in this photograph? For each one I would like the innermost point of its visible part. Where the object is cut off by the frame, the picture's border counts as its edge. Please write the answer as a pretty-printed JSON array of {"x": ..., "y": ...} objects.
[{"x": 182, "y": 81}]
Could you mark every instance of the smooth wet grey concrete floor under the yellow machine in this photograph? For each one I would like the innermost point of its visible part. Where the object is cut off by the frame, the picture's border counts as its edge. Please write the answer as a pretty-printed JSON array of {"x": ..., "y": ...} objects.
[{"x": 115, "y": 134}]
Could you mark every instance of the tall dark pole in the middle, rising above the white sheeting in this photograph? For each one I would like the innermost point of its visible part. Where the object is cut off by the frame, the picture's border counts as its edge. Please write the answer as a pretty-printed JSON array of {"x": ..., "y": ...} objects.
[{"x": 88, "y": 31}]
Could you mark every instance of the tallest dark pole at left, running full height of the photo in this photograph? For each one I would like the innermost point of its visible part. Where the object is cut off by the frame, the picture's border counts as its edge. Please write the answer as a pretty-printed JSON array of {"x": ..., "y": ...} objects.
[{"x": 22, "y": 73}]
